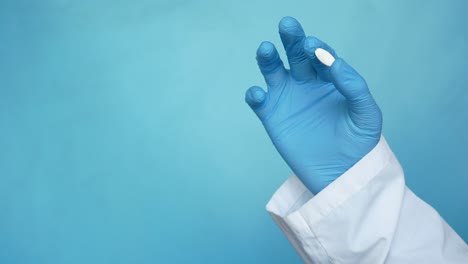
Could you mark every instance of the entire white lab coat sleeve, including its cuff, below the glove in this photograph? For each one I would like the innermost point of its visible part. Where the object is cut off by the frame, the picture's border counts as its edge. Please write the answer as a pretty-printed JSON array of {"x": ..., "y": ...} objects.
[{"x": 367, "y": 215}]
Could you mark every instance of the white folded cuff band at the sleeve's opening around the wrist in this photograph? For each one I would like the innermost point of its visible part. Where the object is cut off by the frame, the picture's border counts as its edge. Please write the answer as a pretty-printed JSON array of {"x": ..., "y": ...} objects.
[{"x": 294, "y": 204}]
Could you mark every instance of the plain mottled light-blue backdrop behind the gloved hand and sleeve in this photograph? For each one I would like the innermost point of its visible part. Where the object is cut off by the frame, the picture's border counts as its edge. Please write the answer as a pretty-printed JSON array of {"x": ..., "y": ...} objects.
[{"x": 124, "y": 137}]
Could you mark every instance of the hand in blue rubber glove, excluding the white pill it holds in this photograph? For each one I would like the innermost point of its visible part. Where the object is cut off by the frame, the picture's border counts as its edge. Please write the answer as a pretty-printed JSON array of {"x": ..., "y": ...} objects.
[{"x": 322, "y": 120}]
